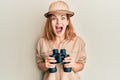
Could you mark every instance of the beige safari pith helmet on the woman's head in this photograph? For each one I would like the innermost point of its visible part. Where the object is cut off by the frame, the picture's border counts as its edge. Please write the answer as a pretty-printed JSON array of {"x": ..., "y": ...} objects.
[{"x": 58, "y": 7}]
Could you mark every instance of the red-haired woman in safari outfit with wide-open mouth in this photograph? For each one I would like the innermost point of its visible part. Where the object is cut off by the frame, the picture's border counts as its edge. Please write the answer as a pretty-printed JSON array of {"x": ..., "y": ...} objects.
[{"x": 59, "y": 34}]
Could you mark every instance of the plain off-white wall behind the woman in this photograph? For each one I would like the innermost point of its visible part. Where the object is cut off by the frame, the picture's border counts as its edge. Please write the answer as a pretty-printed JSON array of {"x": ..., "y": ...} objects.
[{"x": 96, "y": 21}]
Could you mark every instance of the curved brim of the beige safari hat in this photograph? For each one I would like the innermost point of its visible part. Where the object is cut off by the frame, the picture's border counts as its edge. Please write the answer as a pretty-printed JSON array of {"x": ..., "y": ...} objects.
[{"x": 70, "y": 13}]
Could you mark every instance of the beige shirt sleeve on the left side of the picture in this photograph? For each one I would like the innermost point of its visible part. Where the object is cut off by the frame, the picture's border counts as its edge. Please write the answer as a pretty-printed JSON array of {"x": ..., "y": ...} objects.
[{"x": 39, "y": 57}]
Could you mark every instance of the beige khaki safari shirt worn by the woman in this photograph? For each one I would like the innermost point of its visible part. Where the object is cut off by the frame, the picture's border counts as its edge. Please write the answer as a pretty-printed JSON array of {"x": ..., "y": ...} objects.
[{"x": 75, "y": 48}]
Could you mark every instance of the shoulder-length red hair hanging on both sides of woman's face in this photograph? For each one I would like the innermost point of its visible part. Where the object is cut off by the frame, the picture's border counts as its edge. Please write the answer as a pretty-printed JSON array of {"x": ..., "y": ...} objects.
[{"x": 49, "y": 34}]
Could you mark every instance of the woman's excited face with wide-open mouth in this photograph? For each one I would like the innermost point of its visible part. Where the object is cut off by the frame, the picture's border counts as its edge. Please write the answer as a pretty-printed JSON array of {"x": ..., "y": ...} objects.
[{"x": 59, "y": 23}]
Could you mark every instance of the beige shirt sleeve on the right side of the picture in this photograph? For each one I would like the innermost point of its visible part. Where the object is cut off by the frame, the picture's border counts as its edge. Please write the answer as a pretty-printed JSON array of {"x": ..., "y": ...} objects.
[{"x": 81, "y": 54}]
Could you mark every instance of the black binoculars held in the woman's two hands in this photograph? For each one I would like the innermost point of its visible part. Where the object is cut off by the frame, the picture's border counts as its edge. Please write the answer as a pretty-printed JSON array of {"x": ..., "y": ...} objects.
[{"x": 59, "y": 57}]
